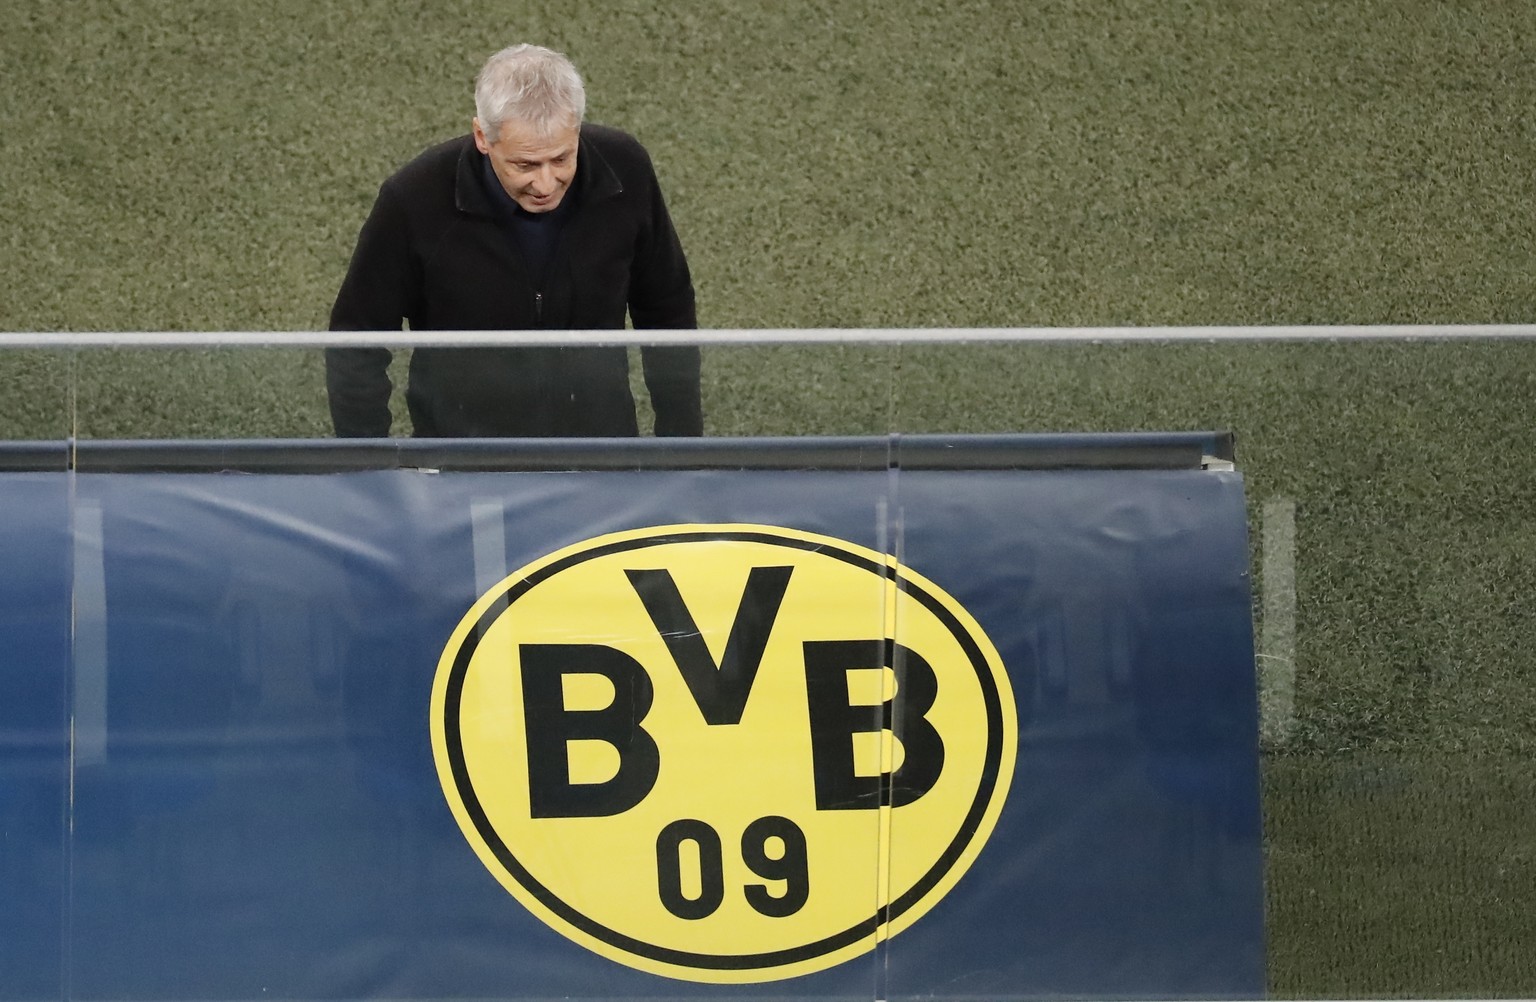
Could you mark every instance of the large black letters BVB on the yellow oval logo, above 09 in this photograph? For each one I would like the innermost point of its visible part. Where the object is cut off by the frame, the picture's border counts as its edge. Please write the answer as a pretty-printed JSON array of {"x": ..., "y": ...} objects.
[{"x": 721, "y": 692}]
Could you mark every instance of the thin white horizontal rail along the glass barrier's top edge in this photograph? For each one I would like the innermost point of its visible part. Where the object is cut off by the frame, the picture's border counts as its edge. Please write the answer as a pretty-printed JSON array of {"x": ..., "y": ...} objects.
[{"x": 744, "y": 337}]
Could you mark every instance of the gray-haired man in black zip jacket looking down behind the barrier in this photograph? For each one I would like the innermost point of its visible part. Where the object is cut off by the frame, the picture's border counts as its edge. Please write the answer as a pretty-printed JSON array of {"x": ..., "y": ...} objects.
[{"x": 532, "y": 222}]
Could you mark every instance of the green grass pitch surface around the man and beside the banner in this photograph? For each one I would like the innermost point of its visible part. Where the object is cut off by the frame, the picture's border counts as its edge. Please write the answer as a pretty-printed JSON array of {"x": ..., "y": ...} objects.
[{"x": 205, "y": 165}]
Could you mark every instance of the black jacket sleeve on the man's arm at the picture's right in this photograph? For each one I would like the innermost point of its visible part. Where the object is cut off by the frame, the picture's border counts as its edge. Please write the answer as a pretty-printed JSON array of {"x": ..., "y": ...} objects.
[{"x": 661, "y": 299}]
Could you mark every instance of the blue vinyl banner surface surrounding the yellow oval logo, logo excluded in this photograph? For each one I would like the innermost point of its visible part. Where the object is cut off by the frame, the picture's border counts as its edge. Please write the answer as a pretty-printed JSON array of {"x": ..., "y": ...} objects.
[{"x": 256, "y": 811}]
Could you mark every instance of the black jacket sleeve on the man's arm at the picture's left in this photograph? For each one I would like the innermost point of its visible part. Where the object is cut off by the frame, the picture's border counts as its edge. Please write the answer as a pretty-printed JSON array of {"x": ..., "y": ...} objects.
[{"x": 376, "y": 296}]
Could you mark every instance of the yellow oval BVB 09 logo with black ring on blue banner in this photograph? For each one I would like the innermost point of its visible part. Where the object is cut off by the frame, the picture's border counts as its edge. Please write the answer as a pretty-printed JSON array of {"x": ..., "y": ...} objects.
[{"x": 723, "y": 754}]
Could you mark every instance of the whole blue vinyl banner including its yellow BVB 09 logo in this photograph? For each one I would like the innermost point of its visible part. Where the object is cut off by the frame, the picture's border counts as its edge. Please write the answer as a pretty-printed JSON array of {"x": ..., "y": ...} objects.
[{"x": 847, "y": 729}]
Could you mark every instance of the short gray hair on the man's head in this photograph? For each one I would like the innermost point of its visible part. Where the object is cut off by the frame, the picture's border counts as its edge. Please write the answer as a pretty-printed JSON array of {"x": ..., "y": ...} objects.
[{"x": 531, "y": 85}]
